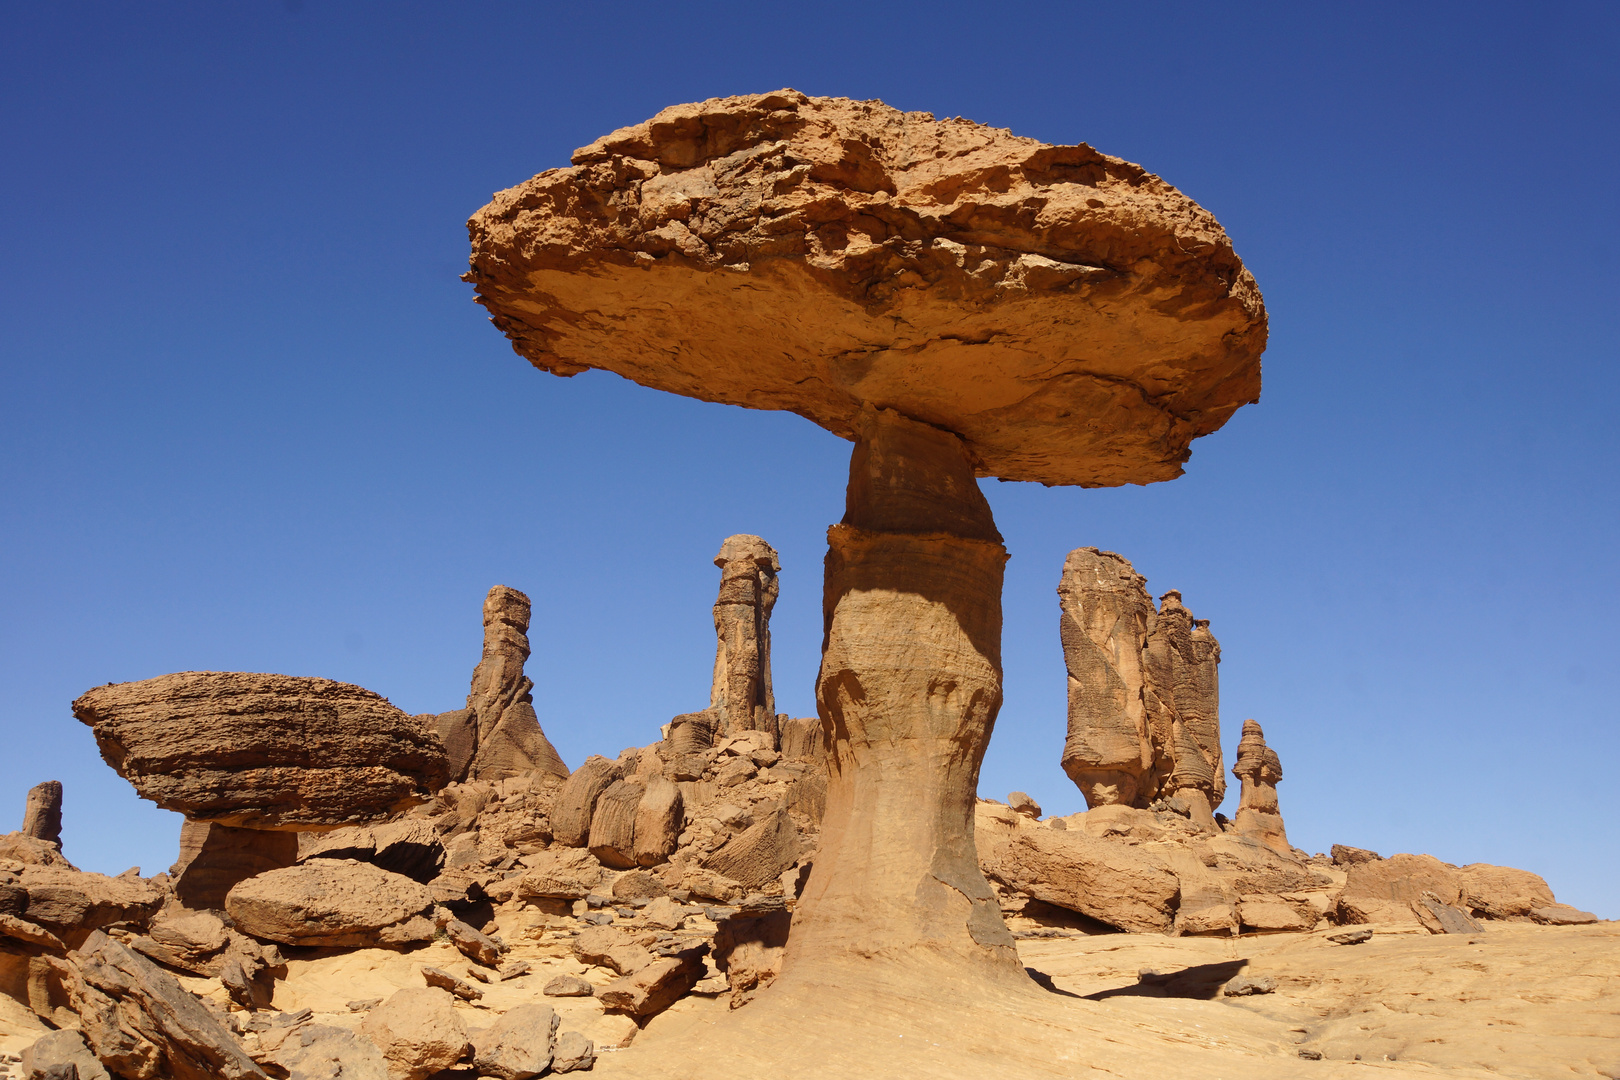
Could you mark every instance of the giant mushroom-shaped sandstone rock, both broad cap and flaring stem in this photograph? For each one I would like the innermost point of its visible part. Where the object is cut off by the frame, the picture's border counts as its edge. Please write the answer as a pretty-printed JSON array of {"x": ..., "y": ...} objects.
[{"x": 960, "y": 302}]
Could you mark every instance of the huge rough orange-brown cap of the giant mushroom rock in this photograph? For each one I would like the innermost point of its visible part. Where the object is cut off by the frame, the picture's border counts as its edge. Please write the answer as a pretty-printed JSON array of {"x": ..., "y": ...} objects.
[{"x": 1075, "y": 318}]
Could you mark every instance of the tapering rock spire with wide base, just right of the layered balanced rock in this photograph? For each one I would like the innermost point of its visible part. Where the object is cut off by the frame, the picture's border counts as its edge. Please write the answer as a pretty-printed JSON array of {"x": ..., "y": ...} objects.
[{"x": 501, "y": 702}]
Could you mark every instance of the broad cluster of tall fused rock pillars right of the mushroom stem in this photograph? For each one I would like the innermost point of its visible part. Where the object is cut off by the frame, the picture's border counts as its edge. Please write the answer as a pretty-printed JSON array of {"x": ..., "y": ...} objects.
[{"x": 1145, "y": 699}]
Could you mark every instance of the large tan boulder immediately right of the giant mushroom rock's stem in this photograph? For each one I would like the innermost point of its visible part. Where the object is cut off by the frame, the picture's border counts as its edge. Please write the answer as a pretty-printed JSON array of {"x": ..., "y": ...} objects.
[{"x": 1109, "y": 882}]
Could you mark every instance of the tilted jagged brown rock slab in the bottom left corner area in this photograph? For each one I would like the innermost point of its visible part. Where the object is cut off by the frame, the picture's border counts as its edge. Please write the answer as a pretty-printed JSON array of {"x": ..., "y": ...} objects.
[{"x": 140, "y": 1023}]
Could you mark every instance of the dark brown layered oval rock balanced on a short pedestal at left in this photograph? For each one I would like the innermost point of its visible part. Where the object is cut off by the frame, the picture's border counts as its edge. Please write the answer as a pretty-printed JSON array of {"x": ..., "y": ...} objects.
[{"x": 265, "y": 752}]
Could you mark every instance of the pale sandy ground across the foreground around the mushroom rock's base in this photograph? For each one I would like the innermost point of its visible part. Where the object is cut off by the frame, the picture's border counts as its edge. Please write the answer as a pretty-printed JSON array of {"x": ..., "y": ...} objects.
[{"x": 1514, "y": 1001}]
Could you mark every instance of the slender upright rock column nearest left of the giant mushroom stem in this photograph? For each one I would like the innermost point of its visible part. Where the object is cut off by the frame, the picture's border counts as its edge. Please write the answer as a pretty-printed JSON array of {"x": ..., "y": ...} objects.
[{"x": 741, "y": 699}]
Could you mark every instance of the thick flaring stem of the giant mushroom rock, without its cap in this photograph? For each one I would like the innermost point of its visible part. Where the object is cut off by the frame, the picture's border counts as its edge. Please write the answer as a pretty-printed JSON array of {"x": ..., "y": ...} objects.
[{"x": 910, "y": 692}]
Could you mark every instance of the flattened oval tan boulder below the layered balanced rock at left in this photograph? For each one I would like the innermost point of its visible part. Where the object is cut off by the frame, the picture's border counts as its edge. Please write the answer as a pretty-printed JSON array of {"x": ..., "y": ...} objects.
[{"x": 333, "y": 903}]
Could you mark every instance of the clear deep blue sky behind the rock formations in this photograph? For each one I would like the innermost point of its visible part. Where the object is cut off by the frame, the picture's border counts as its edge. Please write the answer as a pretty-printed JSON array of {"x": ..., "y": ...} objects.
[{"x": 250, "y": 420}]
